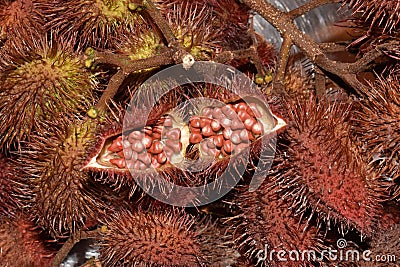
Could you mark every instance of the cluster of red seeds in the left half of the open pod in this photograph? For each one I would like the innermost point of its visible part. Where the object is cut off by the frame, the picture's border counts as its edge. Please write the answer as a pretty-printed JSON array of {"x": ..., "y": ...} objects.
[{"x": 152, "y": 146}]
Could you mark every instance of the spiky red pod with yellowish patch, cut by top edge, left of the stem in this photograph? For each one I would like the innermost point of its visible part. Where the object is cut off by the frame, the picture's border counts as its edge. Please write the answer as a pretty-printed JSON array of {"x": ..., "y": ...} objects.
[{"x": 94, "y": 23}]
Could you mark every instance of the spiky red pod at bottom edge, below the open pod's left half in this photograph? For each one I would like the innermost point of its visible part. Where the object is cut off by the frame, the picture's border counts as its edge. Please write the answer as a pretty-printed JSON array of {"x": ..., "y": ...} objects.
[{"x": 163, "y": 237}]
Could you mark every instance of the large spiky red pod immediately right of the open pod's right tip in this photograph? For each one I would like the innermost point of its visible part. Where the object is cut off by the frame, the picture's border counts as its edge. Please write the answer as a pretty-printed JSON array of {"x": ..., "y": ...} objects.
[{"x": 318, "y": 167}]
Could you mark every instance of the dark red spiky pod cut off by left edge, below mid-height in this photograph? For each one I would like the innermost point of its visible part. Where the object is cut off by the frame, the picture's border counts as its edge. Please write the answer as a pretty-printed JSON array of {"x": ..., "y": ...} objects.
[{"x": 14, "y": 191}]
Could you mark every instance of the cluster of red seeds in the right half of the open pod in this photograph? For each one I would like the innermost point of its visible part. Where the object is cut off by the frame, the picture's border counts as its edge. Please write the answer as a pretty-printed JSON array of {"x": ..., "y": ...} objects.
[{"x": 222, "y": 131}]
